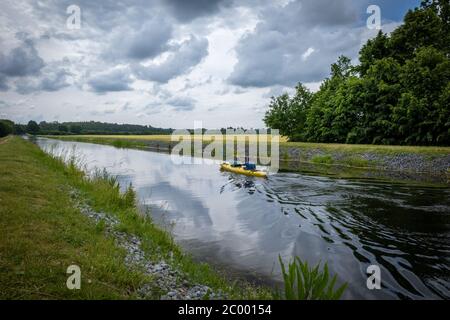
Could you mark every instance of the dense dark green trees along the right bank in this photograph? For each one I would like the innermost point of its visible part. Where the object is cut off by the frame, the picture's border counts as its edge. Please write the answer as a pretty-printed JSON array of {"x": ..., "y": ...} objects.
[{"x": 399, "y": 93}]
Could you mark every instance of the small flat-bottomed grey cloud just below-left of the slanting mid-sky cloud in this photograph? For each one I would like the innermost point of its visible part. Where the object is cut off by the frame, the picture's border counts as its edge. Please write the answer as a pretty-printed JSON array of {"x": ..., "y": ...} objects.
[{"x": 115, "y": 80}]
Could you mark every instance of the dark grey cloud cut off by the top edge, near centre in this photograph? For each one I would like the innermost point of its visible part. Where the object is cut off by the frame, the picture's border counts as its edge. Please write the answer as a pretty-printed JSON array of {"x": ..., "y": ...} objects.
[{"x": 186, "y": 11}]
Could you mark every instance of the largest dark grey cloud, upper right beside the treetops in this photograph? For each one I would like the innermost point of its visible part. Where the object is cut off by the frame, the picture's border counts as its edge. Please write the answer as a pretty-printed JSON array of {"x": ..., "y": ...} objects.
[{"x": 295, "y": 43}]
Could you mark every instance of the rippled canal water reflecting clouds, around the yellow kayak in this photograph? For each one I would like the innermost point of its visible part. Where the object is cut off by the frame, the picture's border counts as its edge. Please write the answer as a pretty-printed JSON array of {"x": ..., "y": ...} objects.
[{"x": 242, "y": 224}]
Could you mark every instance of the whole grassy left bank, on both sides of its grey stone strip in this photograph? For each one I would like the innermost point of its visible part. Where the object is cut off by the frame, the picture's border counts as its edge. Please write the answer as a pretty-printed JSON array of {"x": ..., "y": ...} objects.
[{"x": 43, "y": 232}]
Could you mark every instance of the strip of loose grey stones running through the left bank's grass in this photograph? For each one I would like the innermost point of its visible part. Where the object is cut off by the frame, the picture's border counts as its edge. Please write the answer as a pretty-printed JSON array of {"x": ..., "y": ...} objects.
[{"x": 168, "y": 281}]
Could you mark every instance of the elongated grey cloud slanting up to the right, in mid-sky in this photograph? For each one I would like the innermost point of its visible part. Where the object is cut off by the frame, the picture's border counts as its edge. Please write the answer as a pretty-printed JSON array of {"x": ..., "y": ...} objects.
[{"x": 188, "y": 54}]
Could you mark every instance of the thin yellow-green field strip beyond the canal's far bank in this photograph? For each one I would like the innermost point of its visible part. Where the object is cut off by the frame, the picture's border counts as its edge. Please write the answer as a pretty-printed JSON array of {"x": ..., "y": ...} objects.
[{"x": 357, "y": 148}]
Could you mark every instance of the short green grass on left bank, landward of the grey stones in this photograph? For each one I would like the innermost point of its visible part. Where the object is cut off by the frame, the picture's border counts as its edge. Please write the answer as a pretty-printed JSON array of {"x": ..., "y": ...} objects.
[{"x": 42, "y": 234}]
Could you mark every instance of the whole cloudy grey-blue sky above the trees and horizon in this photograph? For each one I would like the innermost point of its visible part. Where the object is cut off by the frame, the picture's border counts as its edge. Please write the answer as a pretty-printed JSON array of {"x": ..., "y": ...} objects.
[{"x": 168, "y": 63}]
